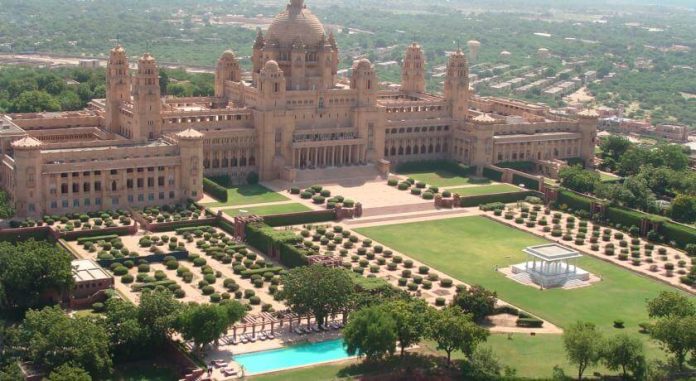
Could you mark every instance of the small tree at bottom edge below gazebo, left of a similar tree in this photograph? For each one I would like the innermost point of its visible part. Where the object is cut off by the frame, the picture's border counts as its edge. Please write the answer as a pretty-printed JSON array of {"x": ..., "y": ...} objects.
[{"x": 582, "y": 343}]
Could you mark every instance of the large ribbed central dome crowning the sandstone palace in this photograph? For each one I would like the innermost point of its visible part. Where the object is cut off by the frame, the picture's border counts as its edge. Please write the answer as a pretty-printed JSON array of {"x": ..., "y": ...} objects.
[{"x": 296, "y": 23}]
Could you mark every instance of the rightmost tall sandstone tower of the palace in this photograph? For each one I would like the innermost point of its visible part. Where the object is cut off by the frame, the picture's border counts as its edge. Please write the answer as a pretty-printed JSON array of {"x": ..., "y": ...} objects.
[{"x": 457, "y": 85}]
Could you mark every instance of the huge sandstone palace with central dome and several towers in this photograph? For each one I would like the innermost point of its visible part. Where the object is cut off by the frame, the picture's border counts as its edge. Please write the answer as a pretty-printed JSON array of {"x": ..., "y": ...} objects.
[{"x": 291, "y": 118}]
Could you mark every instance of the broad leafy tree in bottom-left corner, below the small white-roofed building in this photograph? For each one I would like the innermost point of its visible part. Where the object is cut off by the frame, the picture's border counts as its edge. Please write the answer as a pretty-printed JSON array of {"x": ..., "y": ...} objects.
[{"x": 51, "y": 338}]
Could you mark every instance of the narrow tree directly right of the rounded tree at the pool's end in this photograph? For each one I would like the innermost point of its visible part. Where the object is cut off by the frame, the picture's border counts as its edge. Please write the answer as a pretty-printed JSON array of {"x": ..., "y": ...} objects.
[{"x": 411, "y": 319}]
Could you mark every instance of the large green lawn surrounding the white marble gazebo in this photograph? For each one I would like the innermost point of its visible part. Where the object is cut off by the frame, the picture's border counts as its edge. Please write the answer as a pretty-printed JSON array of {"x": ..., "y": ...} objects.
[{"x": 470, "y": 248}]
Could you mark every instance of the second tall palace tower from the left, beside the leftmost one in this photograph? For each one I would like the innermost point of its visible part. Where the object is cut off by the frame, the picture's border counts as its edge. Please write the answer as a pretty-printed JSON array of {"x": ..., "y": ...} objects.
[{"x": 147, "y": 102}]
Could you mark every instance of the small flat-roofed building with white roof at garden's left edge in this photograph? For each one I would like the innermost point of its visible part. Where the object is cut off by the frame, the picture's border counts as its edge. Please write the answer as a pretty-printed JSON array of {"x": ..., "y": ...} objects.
[{"x": 90, "y": 282}]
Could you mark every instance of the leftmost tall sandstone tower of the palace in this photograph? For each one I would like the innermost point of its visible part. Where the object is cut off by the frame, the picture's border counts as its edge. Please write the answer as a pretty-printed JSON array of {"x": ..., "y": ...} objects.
[{"x": 117, "y": 87}]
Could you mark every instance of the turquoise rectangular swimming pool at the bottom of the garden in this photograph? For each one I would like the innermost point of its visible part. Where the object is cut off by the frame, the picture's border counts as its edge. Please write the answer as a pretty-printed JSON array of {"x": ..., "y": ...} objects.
[{"x": 292, "y": 357}]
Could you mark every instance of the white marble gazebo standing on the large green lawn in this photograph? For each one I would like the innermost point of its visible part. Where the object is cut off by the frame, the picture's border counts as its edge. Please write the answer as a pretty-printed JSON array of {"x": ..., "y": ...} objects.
[{"x": 552, "y": 265}]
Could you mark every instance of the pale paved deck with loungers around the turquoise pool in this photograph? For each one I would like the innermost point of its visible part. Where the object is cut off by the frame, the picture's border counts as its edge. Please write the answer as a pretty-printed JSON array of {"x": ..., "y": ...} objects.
[{"x": 227, "y": 352}]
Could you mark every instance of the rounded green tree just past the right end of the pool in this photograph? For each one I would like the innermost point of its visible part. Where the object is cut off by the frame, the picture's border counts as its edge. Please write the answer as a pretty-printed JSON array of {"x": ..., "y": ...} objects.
[{"x": 370, "y": 332}]
